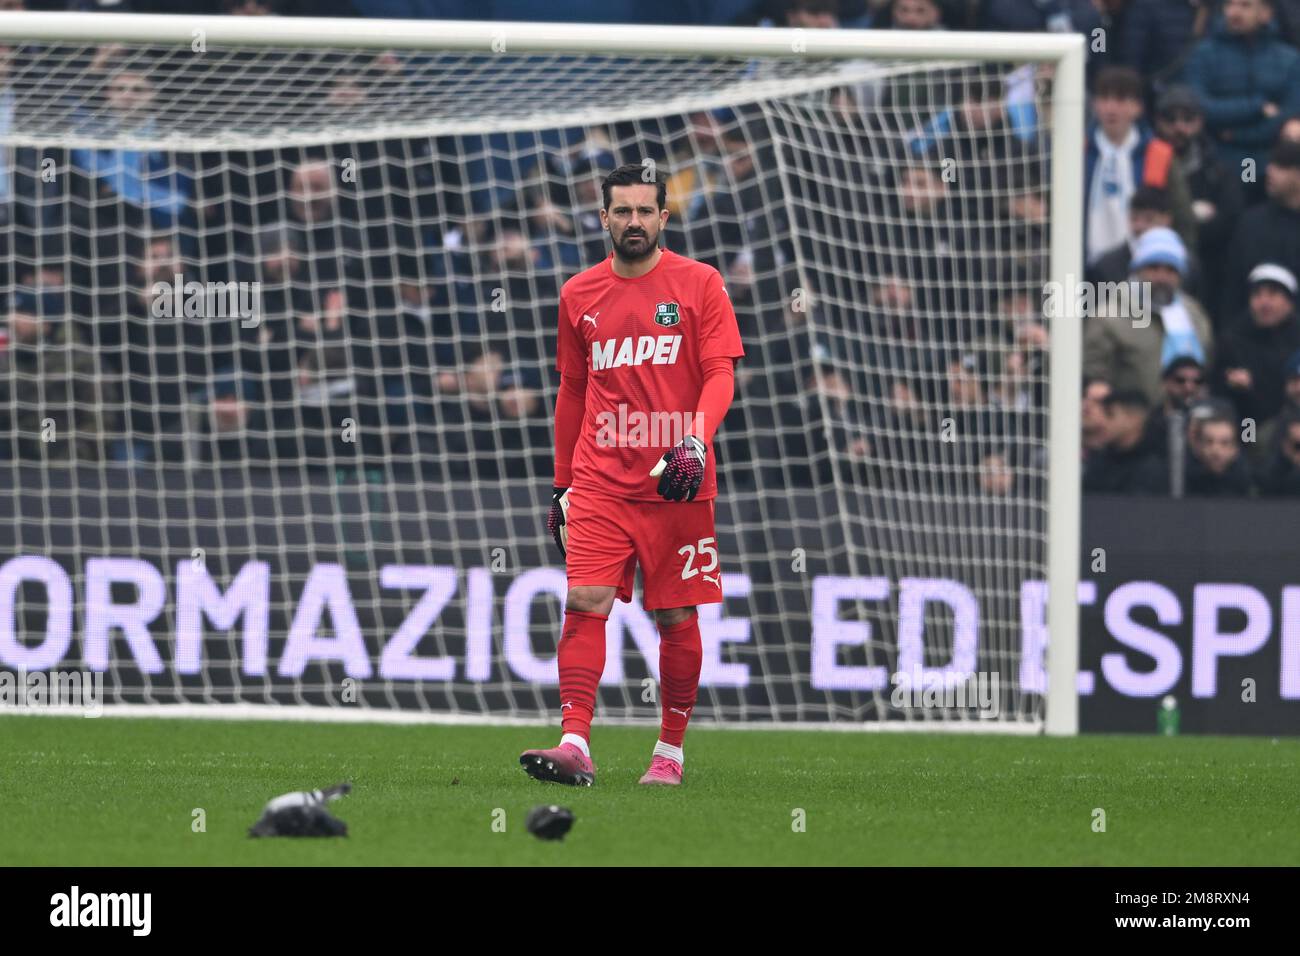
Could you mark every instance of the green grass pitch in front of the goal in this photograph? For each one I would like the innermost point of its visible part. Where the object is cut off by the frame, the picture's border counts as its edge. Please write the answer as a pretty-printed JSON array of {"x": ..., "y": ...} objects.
[{"x": 116, "y": 791}]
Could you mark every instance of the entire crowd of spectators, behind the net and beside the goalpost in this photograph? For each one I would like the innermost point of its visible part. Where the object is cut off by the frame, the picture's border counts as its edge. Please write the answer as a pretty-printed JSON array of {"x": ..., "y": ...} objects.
[{"x": 408, "y": 315}]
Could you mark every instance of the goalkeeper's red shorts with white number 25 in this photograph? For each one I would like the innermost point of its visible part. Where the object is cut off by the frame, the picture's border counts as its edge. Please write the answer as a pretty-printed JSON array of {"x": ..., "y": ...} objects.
[{"x": 674, "y": 542}]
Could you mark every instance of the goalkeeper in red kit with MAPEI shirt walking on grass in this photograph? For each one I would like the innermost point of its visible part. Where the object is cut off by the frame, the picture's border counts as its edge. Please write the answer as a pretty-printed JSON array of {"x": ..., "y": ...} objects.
[{"x": 647, "y": 352}]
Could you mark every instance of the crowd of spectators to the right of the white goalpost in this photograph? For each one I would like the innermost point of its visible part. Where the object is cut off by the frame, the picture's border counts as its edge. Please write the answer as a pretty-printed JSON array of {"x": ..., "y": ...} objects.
[{"x": 1197, "y": 397}]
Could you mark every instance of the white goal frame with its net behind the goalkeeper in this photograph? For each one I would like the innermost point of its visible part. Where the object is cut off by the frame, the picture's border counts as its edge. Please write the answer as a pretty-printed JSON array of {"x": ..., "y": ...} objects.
[{"x": 280, "y": 344}]
